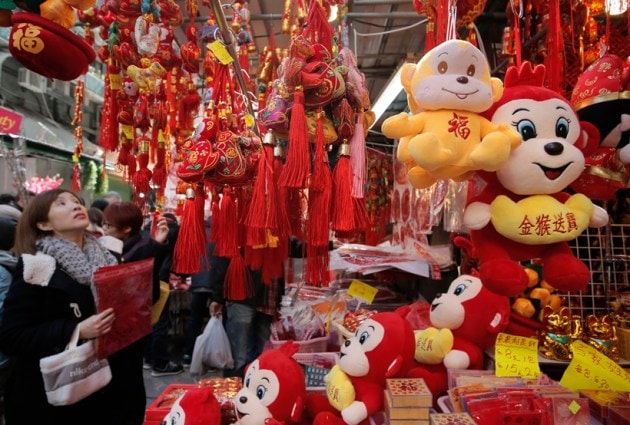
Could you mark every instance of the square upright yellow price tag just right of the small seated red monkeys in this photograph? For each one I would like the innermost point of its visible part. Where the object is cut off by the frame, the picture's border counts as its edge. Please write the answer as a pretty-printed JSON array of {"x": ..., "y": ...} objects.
[{"x": 516, "y": 356}]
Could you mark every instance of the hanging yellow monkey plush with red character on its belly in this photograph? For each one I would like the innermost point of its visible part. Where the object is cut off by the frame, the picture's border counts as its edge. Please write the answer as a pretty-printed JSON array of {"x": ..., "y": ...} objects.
[{"x": 444, "y": 137}]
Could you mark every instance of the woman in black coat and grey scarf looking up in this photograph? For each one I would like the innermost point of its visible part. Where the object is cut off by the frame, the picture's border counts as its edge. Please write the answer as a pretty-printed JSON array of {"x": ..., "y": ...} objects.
[{"x": 50, "y": 299}]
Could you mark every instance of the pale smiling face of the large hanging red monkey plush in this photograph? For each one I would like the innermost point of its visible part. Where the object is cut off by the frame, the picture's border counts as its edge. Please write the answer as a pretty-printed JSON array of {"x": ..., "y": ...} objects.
[{"x": 547, "y": 161}]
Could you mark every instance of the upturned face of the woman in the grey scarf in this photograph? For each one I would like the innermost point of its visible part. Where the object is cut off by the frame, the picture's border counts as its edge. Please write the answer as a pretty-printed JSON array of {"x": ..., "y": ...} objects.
[{"x": 66, "y": 216}]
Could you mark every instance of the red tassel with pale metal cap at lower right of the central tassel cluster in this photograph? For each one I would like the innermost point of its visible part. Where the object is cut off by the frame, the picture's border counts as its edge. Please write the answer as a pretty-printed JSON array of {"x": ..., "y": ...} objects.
[{"x": 342, "y": 209}]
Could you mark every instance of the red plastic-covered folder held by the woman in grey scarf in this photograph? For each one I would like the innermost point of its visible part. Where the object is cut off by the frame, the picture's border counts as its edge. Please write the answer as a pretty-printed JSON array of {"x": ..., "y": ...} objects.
[{"x": 127, "y": 289}]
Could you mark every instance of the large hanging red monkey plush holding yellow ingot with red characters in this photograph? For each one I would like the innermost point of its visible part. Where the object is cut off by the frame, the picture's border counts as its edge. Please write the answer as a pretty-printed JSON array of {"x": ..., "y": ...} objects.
[{"x": 523, "y": 213}]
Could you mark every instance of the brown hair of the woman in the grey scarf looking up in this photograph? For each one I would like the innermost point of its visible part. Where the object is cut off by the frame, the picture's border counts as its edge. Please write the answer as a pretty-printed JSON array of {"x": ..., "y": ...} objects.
[{"x": 27, "y": 232}]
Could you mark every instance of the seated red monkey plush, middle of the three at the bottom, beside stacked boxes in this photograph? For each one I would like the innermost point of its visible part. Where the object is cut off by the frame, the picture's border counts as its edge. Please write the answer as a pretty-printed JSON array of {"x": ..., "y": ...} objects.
[{"x": 382, "y": 347}]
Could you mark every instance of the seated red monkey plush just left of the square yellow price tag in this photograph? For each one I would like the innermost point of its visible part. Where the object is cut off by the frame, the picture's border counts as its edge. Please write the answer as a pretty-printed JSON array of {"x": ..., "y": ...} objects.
[{"x": 465, "y": 320}]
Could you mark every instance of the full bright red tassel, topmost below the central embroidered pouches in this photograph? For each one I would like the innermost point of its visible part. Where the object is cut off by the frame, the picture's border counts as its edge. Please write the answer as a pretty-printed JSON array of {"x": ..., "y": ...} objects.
[{"x": 296, "y": 169}]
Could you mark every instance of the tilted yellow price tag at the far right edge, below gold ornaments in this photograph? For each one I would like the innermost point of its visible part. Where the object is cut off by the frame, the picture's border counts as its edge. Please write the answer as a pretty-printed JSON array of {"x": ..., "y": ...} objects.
[{"x": 591, "y": 370}]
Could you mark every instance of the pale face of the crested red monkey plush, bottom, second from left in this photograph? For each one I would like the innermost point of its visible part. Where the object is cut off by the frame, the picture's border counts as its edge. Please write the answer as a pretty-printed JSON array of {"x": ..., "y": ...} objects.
[{"x": 260, "y": 389}]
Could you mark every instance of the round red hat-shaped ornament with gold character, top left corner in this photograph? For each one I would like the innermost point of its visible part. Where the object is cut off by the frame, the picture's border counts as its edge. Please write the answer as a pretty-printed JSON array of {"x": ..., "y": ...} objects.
[{"x": 48, "y": 48}]
